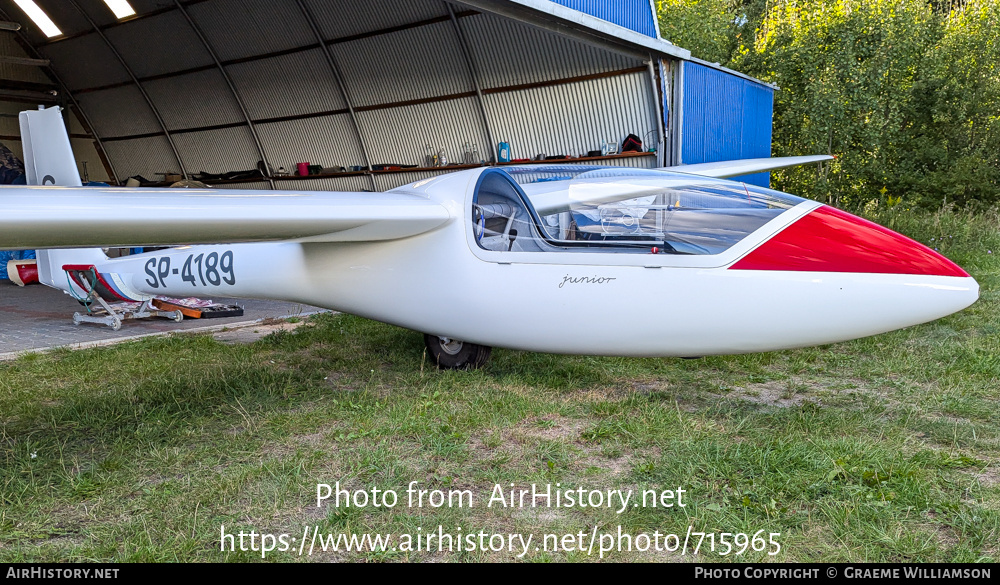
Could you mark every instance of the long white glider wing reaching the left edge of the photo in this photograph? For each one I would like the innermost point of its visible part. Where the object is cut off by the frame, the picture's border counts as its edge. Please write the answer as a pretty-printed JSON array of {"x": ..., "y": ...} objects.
[{"x": 58, "y": 217}]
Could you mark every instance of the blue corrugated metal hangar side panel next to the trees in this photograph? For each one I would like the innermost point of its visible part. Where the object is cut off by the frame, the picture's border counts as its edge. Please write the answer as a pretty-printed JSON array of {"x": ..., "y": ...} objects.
[{"x": 725, "y": 117}]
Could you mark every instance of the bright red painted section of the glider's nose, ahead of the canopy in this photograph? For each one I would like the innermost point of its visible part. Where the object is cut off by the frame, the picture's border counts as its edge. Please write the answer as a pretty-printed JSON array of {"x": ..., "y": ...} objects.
[{"x": 830, "y": 240}]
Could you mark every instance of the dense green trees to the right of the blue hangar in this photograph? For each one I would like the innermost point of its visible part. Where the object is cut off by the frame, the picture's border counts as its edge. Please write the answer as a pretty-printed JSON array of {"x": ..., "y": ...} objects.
[{"x": 905, "y": 92}]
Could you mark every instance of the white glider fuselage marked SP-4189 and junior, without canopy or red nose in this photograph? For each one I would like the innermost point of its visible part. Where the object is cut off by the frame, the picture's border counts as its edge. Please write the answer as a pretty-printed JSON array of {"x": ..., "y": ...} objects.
[{"x": 579, "y": 302}]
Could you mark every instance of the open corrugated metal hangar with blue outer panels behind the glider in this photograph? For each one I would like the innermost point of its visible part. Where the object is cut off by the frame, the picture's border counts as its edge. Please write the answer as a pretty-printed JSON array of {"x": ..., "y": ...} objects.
[{"x": 337, "y": 95}]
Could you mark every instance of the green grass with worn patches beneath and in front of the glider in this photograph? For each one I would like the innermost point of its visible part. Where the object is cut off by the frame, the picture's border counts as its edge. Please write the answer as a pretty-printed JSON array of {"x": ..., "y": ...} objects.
[{"x": 881, "y": 449}]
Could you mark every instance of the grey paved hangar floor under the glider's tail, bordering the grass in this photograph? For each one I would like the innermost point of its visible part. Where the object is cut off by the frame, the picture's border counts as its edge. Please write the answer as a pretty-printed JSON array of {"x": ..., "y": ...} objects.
[{"x": 37, "y": 317}]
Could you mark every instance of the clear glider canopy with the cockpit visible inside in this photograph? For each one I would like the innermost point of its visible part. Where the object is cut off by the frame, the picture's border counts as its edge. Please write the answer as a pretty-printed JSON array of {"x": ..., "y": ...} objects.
[{"x": 616, "y": 210}]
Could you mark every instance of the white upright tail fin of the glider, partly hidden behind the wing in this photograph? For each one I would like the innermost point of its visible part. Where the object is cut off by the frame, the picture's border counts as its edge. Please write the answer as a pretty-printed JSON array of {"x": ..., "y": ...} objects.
[{"x": 49, "y": 160}]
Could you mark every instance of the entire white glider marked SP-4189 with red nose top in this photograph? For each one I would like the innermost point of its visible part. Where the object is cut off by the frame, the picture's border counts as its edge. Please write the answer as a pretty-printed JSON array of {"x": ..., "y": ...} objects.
[{"x": 518, "y": 257}]
